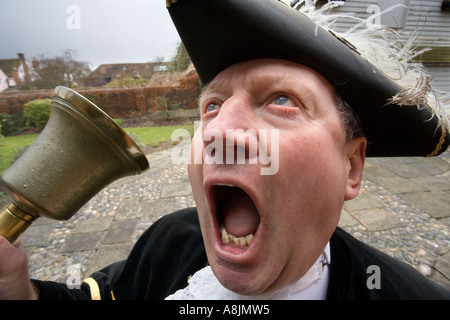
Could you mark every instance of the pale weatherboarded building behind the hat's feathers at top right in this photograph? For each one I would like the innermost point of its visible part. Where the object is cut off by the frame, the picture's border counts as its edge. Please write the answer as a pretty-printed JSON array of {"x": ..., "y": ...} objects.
[{"x": 428, "y": 20}]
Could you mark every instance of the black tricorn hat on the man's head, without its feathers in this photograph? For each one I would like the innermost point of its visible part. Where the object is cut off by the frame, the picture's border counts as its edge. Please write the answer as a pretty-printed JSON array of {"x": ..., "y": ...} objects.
[{"x": 220, "y": 33}]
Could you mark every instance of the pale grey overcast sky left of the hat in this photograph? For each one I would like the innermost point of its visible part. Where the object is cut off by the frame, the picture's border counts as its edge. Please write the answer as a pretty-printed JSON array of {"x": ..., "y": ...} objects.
[{"x": 101, "y": 31}]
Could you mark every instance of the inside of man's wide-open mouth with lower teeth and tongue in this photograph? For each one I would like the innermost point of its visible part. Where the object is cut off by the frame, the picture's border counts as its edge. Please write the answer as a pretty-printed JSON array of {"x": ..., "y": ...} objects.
[{"x": 237, "y": 215}]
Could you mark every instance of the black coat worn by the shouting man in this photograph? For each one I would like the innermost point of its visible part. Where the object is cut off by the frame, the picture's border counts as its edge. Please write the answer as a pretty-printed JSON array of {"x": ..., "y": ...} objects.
[{"x": 172, "y": 249}]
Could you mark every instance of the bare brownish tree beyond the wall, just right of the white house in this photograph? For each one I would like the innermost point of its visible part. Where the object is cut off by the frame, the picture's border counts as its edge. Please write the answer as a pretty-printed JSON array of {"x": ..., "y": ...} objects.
[{"x": 64, "y": 70}]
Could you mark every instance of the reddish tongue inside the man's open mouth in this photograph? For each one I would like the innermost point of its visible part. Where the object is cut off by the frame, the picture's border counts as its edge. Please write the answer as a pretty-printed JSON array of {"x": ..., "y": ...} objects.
[{"x": 240, "y": 215}]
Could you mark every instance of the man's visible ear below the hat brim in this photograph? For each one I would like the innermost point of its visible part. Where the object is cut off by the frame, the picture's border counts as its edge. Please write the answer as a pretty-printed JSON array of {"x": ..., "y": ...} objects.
[{"x": 356, "y": 155}]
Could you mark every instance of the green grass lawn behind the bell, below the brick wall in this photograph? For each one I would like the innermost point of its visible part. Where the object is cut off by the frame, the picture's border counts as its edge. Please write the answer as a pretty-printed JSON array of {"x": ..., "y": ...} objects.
[{"x": 144, "y": 136}]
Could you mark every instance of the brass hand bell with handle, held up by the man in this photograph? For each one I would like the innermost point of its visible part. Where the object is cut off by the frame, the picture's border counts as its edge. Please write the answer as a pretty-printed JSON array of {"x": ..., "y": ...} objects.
[{"x": 80, "y": 151}]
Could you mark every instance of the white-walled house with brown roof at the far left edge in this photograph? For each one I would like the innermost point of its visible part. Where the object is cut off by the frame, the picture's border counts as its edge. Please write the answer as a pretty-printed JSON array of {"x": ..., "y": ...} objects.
[{"x": 15, "y": 73}]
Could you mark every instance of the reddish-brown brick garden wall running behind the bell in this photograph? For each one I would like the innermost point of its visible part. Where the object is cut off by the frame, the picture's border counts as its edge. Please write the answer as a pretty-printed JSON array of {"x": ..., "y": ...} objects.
[{"x": 126, "y": 103}]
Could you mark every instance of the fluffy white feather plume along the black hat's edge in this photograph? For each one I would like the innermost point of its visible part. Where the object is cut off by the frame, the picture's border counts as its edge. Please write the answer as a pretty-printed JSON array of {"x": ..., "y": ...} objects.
[{"x": 384, "y": 48}]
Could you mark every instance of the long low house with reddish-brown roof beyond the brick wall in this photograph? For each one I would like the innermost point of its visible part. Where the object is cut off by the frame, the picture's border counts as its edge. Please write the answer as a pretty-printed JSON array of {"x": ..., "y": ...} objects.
[{"x": 106, "y": 73}]
